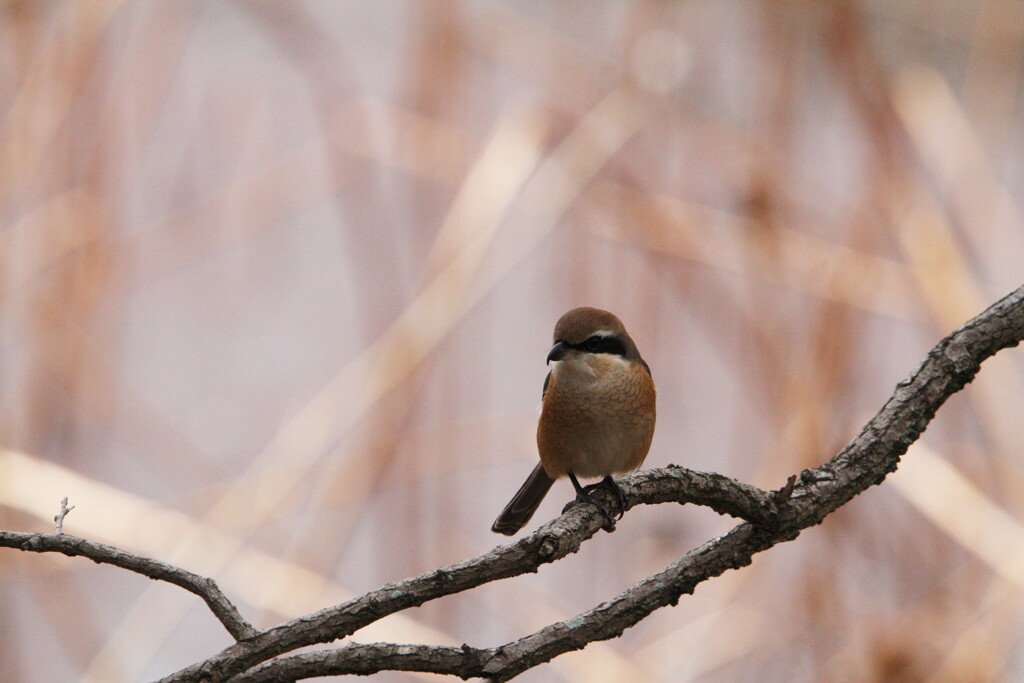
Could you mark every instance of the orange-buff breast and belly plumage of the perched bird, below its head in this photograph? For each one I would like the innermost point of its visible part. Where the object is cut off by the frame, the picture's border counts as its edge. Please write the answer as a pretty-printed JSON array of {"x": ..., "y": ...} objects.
[{"x": 598, "y": 418}]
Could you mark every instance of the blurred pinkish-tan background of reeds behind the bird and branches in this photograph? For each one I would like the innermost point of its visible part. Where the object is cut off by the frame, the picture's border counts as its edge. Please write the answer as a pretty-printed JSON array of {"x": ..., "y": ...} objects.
[{"x": 278, "y": 281}]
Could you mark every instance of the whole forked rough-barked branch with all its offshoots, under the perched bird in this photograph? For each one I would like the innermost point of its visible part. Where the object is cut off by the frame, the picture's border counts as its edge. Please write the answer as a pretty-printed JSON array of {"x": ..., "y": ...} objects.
[{"x": 772, "y": 518}]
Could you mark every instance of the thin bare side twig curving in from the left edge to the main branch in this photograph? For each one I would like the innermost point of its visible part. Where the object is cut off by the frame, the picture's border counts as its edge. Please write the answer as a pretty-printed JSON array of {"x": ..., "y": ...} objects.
[{"x": 73, "y": 546}]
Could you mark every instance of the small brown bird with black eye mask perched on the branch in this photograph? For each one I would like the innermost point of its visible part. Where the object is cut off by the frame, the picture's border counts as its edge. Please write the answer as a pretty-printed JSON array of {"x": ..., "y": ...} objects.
[{"x": 598, "y": 414}]
